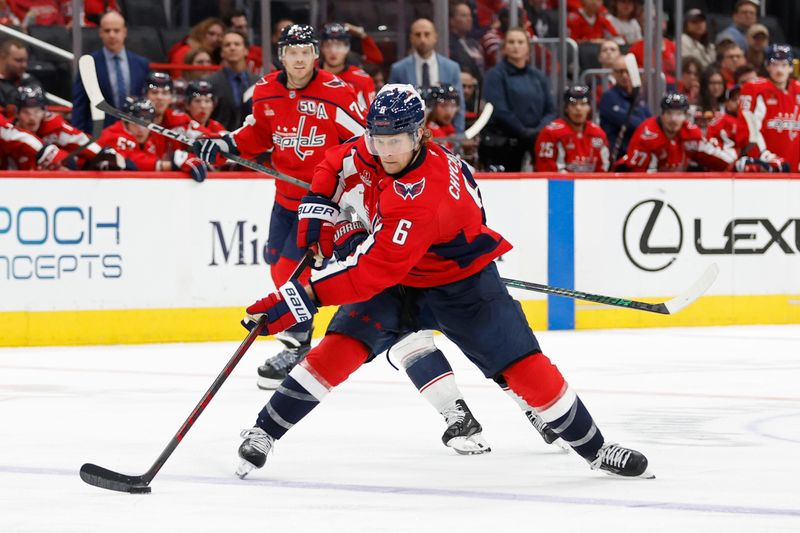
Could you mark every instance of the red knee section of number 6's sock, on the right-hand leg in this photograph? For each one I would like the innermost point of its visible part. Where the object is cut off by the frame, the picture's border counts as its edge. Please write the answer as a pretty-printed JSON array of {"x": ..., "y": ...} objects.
[{"x": 536, "y": 379}]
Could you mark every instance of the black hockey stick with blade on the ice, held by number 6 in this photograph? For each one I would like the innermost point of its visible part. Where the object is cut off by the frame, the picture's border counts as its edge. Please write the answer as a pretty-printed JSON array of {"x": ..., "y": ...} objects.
[{"x": 108, "y": 479}]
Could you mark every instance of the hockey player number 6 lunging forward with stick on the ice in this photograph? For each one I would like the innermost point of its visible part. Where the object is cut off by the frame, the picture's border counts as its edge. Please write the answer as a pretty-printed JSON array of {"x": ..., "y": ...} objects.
[{"x": 428, "y": 264}]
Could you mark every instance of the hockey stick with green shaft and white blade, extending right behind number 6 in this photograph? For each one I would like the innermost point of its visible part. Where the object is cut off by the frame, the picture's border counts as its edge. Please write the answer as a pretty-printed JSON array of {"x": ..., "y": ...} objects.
[{"x": 670, "y": 307}]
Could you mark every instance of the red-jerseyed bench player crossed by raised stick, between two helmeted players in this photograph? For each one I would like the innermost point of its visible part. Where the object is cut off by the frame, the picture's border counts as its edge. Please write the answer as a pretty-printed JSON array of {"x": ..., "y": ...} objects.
[{"x": 158, "y": 88}]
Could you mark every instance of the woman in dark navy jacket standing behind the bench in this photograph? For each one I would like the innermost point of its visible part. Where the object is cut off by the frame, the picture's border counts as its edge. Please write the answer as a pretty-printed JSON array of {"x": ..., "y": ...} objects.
[{"x": 523, "y": 105}]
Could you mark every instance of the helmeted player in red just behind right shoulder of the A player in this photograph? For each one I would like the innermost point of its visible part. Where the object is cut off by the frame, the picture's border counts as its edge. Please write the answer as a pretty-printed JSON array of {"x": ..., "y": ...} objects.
[{"x": 334, "y": 48}]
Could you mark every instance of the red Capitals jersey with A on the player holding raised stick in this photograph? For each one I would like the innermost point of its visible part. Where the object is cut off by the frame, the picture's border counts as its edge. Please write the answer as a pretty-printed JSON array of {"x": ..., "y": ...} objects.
[{"x": 298, "y": 125}]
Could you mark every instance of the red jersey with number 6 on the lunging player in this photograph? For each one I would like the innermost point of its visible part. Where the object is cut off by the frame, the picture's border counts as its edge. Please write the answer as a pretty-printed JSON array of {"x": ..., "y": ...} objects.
[{"x": 428, "y": 226}]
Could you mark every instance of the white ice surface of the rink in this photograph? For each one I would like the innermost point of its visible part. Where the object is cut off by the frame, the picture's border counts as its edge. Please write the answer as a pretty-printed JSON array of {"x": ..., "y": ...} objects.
[{"x": 716, "y": 410}]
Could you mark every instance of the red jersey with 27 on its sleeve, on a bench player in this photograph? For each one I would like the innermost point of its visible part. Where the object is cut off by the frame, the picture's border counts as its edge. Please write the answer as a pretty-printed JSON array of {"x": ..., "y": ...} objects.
[{"x": 650, "y": 150}]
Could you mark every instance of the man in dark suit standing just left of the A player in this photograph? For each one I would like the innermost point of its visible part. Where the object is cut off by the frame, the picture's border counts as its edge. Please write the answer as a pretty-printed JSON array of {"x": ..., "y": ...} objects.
[{"x": 231, "y": 83}]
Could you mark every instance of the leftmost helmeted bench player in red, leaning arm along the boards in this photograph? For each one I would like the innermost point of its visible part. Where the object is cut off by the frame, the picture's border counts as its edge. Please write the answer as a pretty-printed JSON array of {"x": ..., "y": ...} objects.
[{"x": 51, "y": 128}]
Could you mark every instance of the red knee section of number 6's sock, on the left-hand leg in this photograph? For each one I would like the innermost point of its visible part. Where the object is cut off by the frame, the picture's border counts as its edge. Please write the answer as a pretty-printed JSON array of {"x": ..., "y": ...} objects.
[{"x": 335, "y": 358}]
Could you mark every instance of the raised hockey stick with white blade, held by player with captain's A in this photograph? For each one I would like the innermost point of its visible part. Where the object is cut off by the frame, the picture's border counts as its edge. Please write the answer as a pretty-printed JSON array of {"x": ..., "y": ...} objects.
[{"x": 90, "y": 83}]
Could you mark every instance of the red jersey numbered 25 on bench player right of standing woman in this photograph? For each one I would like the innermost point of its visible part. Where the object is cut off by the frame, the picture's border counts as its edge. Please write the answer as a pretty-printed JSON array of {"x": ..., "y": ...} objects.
[{"x": 559, "y": 148}]
